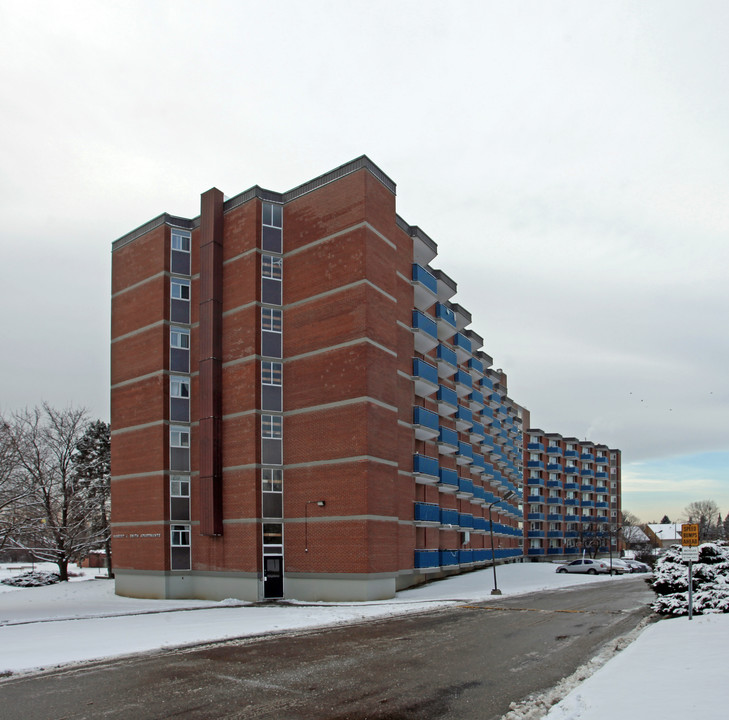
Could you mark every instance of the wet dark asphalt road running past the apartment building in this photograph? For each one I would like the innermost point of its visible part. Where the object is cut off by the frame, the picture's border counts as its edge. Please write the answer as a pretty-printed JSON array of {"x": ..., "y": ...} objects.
[{"x": 463, "y": 663}]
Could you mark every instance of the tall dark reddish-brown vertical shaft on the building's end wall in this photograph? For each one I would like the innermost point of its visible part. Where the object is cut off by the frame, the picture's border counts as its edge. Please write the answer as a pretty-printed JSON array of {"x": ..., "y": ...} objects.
[{"x": 210, "y": 365}]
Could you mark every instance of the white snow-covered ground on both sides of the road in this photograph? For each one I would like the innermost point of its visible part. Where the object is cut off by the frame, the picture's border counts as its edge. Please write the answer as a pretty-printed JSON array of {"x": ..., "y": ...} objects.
[{"x": 670, "y": 669}]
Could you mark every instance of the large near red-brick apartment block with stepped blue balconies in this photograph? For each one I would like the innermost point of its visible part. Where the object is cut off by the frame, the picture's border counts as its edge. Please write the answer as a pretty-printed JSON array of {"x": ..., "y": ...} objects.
[{"x": 299, "y": 407}]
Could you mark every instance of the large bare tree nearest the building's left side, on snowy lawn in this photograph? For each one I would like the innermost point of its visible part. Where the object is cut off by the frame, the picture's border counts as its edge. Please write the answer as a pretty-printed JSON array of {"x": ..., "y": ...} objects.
[{"x": 57, "y": 506}]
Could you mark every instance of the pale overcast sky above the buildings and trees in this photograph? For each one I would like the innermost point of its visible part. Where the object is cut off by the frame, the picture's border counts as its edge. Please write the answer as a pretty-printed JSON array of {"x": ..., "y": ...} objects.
[{"x": 571, "y": 160}]
